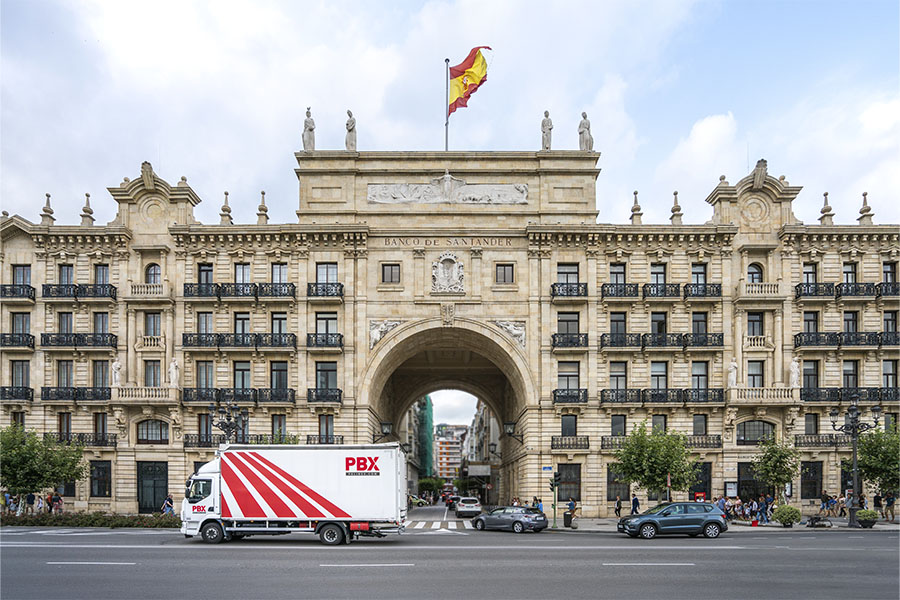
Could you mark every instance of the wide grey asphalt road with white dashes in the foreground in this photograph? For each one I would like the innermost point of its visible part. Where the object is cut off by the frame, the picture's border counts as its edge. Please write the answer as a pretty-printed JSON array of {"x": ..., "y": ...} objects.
[{"x": 98, "y": 564}]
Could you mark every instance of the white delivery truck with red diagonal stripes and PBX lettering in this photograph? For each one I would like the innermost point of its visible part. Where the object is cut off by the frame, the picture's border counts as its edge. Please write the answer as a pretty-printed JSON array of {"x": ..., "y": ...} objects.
[{"x": 337, "y": 492}]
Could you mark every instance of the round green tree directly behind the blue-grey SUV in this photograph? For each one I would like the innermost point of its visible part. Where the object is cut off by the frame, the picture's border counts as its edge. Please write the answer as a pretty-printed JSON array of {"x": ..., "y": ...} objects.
[{"x": 650, "y": 459}]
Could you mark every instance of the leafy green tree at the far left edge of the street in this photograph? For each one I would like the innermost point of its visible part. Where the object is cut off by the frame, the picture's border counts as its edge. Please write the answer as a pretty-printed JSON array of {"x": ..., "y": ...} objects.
[{"x": 30, "y": 463}]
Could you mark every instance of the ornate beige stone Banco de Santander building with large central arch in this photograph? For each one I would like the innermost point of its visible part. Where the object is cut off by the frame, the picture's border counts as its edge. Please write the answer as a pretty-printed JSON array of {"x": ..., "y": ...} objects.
[{"x": 409, "y": 272}]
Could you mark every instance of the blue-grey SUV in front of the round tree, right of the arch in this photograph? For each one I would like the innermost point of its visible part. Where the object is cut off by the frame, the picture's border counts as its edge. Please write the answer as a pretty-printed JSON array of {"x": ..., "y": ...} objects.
[{"x": 691, "y": 518}]
